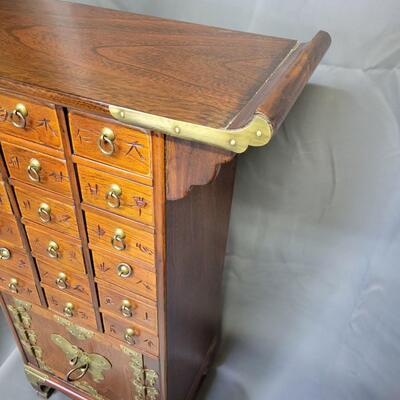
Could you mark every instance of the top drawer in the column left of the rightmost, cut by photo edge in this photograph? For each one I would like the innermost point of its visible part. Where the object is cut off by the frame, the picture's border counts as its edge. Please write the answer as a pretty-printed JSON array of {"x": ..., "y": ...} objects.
[{"x": 39, "y": 125}]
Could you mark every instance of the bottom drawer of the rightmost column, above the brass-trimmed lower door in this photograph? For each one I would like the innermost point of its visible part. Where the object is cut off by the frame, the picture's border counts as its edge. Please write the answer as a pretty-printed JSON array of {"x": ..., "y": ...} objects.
[{"x": 131, "y": 334}]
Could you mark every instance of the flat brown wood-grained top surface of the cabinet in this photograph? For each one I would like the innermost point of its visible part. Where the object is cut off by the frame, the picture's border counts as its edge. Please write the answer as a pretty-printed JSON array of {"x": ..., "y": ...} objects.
[{"x": 77, "y": 54}]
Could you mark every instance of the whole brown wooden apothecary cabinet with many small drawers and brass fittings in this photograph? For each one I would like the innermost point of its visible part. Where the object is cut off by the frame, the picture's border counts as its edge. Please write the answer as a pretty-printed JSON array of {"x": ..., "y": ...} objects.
[{"x": 118, "y": 141}]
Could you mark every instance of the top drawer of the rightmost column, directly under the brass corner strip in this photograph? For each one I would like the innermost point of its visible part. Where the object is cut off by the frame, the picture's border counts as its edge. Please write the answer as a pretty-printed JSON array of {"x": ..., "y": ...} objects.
[{"x": 111, "y": 144}]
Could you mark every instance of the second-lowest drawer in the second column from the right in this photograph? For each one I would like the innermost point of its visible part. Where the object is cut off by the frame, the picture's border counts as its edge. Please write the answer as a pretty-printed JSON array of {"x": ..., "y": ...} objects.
[{"x": 65, "y": 280}]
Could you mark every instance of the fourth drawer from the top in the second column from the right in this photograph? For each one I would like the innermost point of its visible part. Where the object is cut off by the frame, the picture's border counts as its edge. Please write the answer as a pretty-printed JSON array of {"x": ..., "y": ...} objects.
[{"x": 57, "y": 249}]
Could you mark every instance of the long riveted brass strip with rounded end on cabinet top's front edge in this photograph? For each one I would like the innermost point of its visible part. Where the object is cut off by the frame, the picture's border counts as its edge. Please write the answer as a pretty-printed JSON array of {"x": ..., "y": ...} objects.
[{"x": 257, "y": 133}]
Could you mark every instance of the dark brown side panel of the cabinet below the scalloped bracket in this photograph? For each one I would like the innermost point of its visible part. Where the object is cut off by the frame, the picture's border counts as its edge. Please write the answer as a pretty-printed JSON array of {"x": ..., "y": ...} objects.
[{"x": 197, "y": 229}]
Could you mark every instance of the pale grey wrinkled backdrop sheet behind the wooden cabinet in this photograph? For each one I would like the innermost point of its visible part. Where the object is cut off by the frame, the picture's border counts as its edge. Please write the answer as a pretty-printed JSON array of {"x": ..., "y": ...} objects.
[{"x": 312, "y": 277}]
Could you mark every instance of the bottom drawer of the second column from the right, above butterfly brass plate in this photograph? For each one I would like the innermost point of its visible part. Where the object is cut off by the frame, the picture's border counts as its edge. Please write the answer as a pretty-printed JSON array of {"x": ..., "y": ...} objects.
[{"x": 70, "y": 307}]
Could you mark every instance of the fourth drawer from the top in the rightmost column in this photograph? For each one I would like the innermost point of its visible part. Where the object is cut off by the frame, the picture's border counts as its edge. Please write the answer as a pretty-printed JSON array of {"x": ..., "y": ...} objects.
[{"x": 125, "y": 273}]
